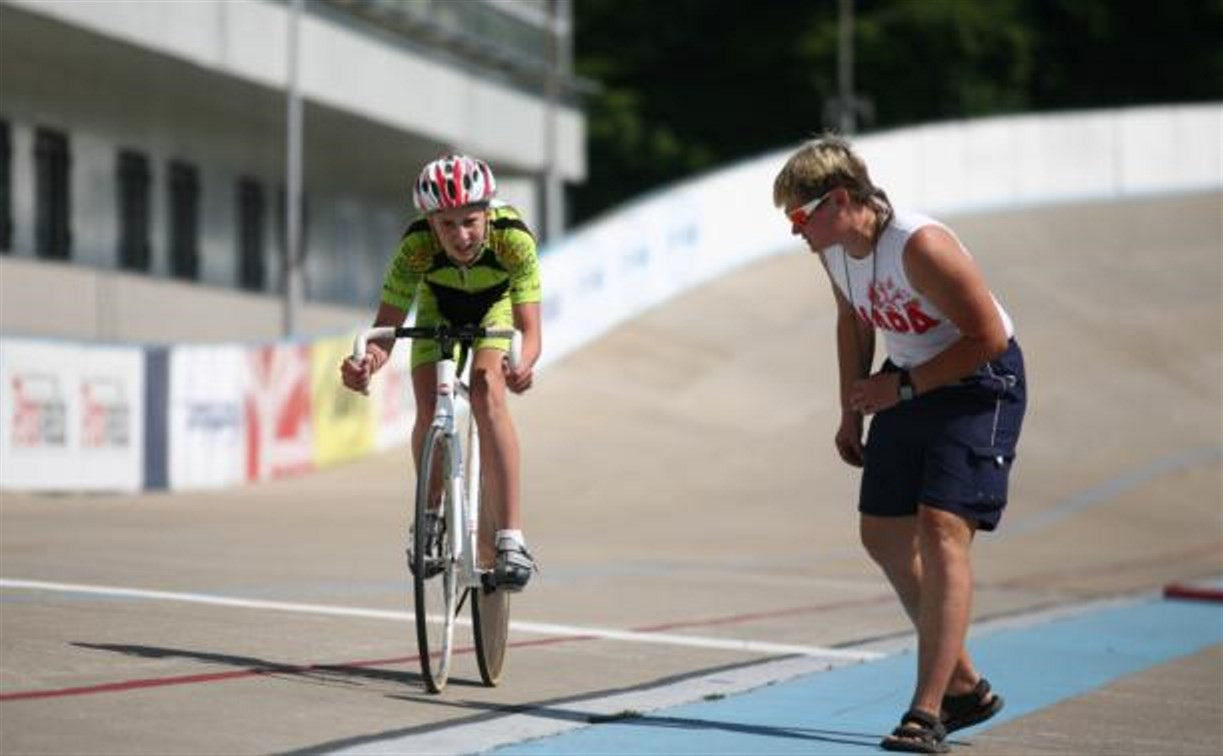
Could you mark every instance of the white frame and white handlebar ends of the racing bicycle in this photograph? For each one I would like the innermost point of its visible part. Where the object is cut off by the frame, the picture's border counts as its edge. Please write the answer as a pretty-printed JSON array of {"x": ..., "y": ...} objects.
[{"x": 462, "y": 484}]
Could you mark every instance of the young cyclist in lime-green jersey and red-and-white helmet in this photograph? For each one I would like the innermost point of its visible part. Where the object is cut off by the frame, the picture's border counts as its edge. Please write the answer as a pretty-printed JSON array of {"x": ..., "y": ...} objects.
[{"x": 469, "y": 261}]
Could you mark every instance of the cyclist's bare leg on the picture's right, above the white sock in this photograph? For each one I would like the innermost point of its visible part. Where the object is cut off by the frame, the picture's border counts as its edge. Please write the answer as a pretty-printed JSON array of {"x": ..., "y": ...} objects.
[{"x": 500, "y": 442}]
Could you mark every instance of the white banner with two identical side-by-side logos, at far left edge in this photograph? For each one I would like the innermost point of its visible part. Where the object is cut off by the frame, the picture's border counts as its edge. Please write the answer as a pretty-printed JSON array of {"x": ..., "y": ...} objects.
[{"x": 72, "y": 417}]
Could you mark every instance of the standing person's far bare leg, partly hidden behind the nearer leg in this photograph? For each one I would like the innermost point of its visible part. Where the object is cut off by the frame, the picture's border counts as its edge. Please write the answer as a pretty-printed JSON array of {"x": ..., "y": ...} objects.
[{"x": 892, "y": 544}]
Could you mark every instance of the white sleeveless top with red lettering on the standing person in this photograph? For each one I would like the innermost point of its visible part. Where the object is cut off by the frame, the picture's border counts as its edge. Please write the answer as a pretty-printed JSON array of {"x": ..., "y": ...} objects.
[{"x": 914, "y": 331}]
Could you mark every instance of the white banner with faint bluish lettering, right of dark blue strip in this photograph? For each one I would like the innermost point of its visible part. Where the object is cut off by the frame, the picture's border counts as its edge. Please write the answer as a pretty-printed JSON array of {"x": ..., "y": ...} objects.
[{"x": 207, "y": 424}]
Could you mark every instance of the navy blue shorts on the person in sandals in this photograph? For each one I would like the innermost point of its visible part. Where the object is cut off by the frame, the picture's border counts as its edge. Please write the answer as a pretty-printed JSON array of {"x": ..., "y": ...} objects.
[{"x": 952, "y": 448}]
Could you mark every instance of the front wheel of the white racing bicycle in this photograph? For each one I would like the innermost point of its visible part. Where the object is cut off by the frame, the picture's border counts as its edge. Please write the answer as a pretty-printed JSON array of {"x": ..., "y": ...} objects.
[{"x": 435, "y": 574}]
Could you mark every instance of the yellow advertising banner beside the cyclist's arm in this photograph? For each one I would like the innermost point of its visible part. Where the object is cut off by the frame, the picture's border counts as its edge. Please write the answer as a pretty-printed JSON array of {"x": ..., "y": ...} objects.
[{"x": 344, "y": 420}]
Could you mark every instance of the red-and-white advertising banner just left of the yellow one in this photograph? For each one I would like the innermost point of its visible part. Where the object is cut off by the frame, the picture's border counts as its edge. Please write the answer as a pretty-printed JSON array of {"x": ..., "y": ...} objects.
[{"x": 279, "y": 440}]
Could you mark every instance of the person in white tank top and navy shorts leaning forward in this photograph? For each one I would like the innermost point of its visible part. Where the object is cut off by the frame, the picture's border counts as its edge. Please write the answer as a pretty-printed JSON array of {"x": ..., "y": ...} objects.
[{"x": 947, "y": 409}]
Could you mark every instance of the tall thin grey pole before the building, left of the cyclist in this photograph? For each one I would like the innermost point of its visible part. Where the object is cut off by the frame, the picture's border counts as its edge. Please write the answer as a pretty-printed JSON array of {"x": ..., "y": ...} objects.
[{"x": 293, "y": 180}]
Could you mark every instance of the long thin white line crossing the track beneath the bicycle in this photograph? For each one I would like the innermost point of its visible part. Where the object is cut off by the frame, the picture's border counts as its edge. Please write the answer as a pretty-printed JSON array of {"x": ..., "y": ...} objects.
[{"x": 633, "y": 637}]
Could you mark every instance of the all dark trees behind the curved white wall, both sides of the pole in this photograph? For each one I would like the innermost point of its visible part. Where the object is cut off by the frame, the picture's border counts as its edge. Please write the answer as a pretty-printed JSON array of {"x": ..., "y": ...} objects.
[{"x": 692, "y": 85}]
